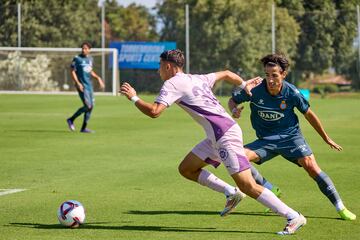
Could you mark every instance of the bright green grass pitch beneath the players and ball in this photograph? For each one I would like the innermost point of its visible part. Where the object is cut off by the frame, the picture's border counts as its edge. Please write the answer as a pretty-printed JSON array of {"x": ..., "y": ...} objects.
[{"x": 126, "y": 174}]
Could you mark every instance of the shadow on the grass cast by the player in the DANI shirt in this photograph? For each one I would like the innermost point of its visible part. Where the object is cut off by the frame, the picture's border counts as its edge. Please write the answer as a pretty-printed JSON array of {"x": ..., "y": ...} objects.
[{"x": 138, "y": 212}]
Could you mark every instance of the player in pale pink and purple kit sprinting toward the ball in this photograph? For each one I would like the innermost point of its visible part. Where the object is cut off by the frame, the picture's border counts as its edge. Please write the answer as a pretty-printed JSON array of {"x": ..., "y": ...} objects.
[{"x": 224, "y": 137}]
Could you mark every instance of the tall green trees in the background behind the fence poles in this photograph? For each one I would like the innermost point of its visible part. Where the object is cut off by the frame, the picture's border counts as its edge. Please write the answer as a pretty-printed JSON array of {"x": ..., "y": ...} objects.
[{"x": 317, "y": 35}]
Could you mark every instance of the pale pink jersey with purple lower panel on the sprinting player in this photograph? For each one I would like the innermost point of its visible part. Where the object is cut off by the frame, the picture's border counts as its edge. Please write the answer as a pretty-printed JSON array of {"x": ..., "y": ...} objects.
[{"x": 193, "y": 93}]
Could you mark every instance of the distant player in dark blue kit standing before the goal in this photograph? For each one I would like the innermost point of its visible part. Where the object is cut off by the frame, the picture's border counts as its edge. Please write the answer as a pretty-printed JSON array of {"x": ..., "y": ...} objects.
[{"x": 81, "y": 73}]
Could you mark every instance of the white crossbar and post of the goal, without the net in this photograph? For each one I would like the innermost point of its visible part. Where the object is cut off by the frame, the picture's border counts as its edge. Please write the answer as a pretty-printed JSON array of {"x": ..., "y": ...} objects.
[{"x": 114, "y": 51}]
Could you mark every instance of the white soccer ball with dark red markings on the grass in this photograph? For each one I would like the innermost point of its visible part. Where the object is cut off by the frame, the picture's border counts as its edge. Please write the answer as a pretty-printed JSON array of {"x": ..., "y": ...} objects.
[{"x": 71, "y": 214}]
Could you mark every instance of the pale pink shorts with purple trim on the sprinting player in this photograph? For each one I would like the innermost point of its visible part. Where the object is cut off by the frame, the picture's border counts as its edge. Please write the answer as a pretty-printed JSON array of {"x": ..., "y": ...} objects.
[{"x": 228, "y": 149}]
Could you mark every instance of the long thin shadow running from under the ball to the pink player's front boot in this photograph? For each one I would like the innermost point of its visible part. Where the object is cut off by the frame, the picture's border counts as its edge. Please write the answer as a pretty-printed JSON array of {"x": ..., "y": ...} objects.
[{"x": 136, "y": 228}]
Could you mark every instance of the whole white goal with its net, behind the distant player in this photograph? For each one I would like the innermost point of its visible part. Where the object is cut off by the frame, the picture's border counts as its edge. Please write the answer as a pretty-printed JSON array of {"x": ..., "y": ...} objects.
[{"x": 48, "y": 69}]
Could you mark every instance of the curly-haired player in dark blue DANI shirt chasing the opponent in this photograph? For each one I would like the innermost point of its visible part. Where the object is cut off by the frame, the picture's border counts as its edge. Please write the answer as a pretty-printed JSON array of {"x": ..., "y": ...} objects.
[{"x": 277, "y": 128}]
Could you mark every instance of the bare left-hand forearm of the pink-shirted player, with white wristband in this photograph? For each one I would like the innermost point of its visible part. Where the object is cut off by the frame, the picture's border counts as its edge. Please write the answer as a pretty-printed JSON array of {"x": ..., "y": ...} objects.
[{"x": 152, "y": 110}]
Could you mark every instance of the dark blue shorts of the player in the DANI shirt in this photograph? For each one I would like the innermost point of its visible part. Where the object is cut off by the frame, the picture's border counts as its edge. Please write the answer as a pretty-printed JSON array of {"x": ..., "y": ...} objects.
[{"x": 291, "y": 148}]
